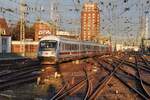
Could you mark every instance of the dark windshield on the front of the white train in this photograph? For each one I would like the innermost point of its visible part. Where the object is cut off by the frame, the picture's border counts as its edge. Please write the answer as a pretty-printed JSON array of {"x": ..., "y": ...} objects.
[{"x": 48, "y": 45}]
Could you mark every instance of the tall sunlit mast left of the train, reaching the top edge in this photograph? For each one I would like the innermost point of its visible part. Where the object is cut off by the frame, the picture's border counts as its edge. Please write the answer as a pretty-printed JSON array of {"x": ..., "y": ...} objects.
[{"x": 22, "y": 27}]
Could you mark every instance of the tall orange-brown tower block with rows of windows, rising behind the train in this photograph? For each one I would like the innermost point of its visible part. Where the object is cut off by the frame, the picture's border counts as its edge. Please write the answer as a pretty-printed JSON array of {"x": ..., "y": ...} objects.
[{"x": 90, "y": 22}]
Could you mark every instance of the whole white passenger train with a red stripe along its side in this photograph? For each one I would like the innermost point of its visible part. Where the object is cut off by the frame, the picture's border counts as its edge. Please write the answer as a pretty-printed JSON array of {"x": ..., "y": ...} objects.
[{"x": 53, "y": 49}]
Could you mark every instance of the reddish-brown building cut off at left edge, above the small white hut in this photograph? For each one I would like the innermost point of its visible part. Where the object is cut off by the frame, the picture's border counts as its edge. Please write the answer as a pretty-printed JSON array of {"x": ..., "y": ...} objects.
[{"x": 3, "y": 26}]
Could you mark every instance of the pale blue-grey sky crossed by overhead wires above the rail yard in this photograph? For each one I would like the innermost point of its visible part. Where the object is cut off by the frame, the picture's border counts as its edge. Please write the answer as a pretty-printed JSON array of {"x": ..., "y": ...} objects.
[{"x": 119, "y": 18}]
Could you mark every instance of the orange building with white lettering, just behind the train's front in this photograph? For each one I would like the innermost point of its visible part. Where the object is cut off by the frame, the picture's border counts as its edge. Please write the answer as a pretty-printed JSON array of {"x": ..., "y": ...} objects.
[{"x": 43, "y": 29}]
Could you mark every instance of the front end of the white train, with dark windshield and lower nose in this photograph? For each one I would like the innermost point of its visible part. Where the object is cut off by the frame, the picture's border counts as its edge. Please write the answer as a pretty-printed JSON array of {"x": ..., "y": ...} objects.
[{"x": 47, "y": 53}]
